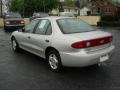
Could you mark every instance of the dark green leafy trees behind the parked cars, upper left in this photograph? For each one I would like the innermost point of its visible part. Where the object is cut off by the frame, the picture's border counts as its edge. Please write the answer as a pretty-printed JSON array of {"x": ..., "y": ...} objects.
[{"x": 30, "y": 6}]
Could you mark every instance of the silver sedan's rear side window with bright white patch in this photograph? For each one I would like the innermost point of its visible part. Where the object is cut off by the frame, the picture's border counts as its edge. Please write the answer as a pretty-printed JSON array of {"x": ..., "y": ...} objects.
[{"x": 43, "y": 27}]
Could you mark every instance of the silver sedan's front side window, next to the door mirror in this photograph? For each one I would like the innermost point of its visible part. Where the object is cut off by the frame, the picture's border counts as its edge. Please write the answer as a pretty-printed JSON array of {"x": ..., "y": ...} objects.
[{"x": 29, "y": 28}]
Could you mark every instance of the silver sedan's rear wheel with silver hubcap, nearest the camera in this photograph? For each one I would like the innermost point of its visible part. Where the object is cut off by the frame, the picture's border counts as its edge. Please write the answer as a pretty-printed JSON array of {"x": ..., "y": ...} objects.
[{"x": 54, "y": 61}]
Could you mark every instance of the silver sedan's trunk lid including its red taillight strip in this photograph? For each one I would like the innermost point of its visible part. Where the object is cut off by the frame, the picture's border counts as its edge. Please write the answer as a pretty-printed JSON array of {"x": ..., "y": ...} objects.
[{"x": 91, "y": 41}]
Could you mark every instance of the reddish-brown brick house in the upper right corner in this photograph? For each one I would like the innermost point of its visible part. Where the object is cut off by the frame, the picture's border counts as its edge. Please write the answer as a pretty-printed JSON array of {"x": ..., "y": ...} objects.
[{"x": 105, "y": 7}]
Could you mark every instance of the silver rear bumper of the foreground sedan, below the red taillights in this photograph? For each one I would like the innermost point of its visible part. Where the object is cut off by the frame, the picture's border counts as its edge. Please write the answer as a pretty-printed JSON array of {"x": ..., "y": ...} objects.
[{"x": 81, "y": 59}]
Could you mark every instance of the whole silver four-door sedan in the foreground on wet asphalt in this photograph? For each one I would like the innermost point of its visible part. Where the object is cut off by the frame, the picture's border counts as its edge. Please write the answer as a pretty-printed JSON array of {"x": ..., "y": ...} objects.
[{"x": 64, "y": 41}]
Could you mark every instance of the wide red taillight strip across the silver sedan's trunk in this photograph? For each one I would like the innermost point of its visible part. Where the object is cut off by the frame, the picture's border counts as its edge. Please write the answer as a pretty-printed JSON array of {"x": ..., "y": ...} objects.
[{"x": 92, "y": 42}]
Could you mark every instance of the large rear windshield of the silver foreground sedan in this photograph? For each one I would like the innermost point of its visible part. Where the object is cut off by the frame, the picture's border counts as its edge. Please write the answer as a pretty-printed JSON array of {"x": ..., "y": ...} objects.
[{"x": 73, "y": 25}]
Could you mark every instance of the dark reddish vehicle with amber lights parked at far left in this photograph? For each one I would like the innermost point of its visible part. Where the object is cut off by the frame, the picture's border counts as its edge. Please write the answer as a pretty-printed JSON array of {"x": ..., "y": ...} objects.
[{"x": 13, "y": 21}]
